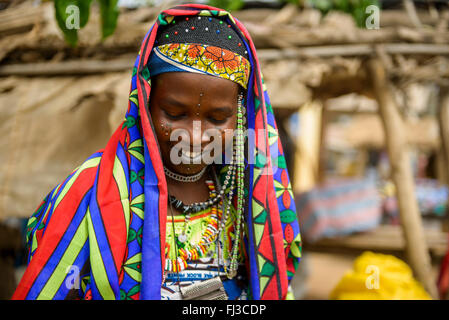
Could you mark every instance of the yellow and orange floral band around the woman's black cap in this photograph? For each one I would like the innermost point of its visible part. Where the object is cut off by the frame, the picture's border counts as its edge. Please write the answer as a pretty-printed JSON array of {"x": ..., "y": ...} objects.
[{"x": 205, "y": 59}]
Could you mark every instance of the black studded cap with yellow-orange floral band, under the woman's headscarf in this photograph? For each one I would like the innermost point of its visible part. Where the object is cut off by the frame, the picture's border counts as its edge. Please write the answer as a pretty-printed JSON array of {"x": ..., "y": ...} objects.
[{"x": 206, "y": 45}]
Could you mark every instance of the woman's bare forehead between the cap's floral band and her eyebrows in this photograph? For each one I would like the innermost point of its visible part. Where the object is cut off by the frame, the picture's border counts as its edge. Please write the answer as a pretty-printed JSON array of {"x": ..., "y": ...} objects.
[{"x": 188, "y": 85}]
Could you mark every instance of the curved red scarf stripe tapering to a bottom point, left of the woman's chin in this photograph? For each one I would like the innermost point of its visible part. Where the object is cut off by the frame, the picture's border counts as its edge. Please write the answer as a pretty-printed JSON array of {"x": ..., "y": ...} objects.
[{"x": 108, "y": 199}]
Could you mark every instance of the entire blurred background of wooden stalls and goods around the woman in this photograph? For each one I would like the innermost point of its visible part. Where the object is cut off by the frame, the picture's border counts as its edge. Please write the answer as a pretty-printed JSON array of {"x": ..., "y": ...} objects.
[{"x": 360, "y": 93}]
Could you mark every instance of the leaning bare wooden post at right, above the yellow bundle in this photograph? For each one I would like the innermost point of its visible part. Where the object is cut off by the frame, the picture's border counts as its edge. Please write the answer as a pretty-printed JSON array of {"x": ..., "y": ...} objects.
[{"x": 401, "y": 171}]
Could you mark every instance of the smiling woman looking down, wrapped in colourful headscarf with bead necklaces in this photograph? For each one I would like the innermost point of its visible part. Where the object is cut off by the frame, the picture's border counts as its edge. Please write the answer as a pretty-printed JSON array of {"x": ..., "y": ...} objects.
[{"x": 148, "y": 217}]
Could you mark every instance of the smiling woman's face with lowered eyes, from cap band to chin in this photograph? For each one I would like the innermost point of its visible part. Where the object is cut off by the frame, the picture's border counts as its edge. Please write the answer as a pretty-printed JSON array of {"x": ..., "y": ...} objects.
[{"x": 195, "y": 113}]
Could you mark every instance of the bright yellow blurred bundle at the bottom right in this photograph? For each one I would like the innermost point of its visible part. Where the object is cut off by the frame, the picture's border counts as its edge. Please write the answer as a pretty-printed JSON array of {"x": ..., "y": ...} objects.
[{"x": 379, "y": 277}]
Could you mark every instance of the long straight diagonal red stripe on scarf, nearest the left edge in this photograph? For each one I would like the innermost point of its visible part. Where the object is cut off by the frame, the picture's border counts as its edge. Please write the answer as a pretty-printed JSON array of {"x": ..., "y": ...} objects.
[{"x": 57, "y": 226}]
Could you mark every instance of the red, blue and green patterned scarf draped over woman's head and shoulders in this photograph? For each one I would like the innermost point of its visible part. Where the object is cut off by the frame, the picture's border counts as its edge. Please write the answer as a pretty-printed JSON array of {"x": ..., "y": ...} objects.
[{"x": 106, "y": 223}]
